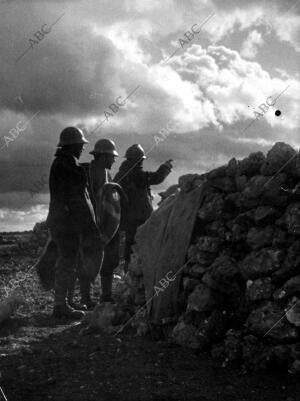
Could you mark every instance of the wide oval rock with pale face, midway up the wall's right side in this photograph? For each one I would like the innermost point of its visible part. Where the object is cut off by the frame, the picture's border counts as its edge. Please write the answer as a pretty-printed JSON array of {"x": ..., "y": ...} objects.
[{"x": 261, "y": 263}]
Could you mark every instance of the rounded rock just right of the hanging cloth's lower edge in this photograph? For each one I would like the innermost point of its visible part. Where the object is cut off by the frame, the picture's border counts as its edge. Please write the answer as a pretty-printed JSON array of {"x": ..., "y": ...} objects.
[{"x": 202, "y": 299}]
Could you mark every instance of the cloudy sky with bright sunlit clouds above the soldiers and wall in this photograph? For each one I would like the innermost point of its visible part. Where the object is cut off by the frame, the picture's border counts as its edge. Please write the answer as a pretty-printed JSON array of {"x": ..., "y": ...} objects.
[{"x": 201, "y": 68}]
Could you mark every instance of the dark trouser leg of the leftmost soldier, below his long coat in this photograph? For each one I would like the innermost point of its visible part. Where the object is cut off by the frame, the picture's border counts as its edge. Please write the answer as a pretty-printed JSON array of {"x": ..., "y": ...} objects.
[{"x": 67, "y": 248}]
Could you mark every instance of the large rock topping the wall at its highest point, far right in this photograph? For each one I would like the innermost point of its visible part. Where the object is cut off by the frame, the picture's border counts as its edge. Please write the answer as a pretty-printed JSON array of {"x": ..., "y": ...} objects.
[{"x": 281, "y": 156}]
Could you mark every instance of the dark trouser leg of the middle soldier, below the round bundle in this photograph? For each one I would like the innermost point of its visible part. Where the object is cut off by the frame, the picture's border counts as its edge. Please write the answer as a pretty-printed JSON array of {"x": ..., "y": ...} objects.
[{"x": 110, "y": 262}]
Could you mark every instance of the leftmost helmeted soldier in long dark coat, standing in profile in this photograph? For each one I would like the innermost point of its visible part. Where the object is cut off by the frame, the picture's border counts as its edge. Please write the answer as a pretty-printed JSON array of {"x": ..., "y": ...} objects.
[{"x": 71, "y": 216}]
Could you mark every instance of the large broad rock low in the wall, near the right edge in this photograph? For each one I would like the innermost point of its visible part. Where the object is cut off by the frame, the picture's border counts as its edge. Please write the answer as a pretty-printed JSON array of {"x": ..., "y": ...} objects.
[{"x": 269, "y": 321}]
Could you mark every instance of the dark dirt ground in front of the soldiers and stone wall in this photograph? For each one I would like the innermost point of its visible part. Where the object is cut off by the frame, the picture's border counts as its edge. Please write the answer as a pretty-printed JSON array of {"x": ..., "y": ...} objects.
[{"x": 43, "y": 360}]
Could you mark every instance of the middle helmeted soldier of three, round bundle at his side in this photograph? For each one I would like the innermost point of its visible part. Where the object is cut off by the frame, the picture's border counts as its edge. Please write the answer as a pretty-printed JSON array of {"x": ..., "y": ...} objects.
[{"x": 105, "y": 154}]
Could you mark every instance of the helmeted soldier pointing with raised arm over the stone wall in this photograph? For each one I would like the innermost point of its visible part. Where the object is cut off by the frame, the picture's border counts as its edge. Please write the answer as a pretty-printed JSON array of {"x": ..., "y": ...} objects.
[{"x": 136, "y": 184}]
